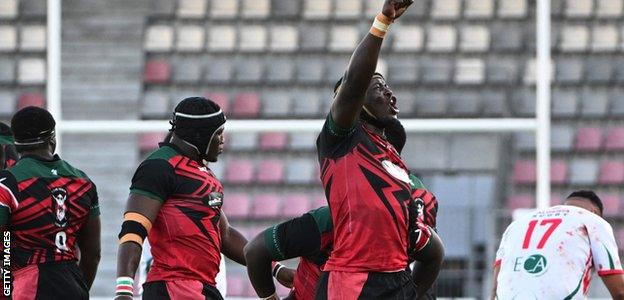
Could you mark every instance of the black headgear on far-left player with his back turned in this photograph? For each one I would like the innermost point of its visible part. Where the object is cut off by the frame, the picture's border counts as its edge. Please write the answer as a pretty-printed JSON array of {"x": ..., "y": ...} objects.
[{"x": 32, "y": 127}]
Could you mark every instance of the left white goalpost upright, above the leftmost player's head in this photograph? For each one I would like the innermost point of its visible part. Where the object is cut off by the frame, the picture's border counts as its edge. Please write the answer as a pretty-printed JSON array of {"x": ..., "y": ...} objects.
[{"x": 53, "y": 82}]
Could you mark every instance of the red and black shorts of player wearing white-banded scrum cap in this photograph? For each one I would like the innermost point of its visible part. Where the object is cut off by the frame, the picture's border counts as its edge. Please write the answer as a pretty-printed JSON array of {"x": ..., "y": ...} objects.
[{"x": 182, "y": 289}]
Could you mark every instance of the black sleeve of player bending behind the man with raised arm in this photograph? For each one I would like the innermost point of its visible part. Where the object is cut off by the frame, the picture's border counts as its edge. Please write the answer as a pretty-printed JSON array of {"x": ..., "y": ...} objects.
[{"x": 294, "y": 238}]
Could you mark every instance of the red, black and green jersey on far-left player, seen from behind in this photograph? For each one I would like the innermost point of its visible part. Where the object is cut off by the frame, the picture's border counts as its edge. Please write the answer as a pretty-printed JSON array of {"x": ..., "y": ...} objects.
[{"x": 44, "y": 204}]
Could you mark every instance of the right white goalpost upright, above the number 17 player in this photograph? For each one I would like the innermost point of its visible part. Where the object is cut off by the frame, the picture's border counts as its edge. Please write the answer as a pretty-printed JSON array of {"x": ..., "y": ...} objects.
[{"x": 542, "y": 139}]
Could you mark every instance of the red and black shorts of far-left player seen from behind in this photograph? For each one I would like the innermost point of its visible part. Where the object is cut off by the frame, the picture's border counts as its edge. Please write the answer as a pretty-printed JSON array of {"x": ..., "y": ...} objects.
[{"x": 57, "y": 280}]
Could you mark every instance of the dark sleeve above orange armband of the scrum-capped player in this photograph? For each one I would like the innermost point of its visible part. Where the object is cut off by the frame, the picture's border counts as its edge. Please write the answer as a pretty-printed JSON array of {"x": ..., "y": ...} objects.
[{"x": 155, "y": 179}]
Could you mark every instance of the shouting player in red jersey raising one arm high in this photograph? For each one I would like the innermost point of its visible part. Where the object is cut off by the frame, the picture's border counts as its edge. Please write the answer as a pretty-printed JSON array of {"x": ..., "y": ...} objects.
[{"x": 367, "y": 185}]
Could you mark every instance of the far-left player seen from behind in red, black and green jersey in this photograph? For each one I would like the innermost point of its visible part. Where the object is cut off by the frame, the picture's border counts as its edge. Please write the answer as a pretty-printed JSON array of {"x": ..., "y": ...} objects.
[{"x": 51, "y": 210}]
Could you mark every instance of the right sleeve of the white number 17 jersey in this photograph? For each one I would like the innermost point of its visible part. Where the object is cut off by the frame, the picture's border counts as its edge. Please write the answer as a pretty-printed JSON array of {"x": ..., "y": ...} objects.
[{"x": 603, "y": 247}]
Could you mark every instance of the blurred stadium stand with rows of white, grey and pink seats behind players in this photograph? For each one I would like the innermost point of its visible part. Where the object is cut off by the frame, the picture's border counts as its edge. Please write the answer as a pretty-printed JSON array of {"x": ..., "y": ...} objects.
[{"x": 279, "y": 59}]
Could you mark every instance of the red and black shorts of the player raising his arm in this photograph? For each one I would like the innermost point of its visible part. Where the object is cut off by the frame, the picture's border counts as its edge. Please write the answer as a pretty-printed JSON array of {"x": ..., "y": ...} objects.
[{"x": 336, "y": 285}]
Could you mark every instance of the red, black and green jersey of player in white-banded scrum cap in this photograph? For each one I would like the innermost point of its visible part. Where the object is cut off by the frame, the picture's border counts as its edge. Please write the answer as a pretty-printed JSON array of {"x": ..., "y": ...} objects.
[{"x": 185, "y": 238}]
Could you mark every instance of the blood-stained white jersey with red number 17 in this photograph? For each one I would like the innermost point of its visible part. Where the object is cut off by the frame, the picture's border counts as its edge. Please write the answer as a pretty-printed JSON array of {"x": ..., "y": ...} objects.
[{"x": 551, "y": 254}]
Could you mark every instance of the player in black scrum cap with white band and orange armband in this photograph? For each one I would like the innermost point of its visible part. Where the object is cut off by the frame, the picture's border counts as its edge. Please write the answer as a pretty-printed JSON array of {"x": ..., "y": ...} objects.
[{"x": 176, "y": 201}]
